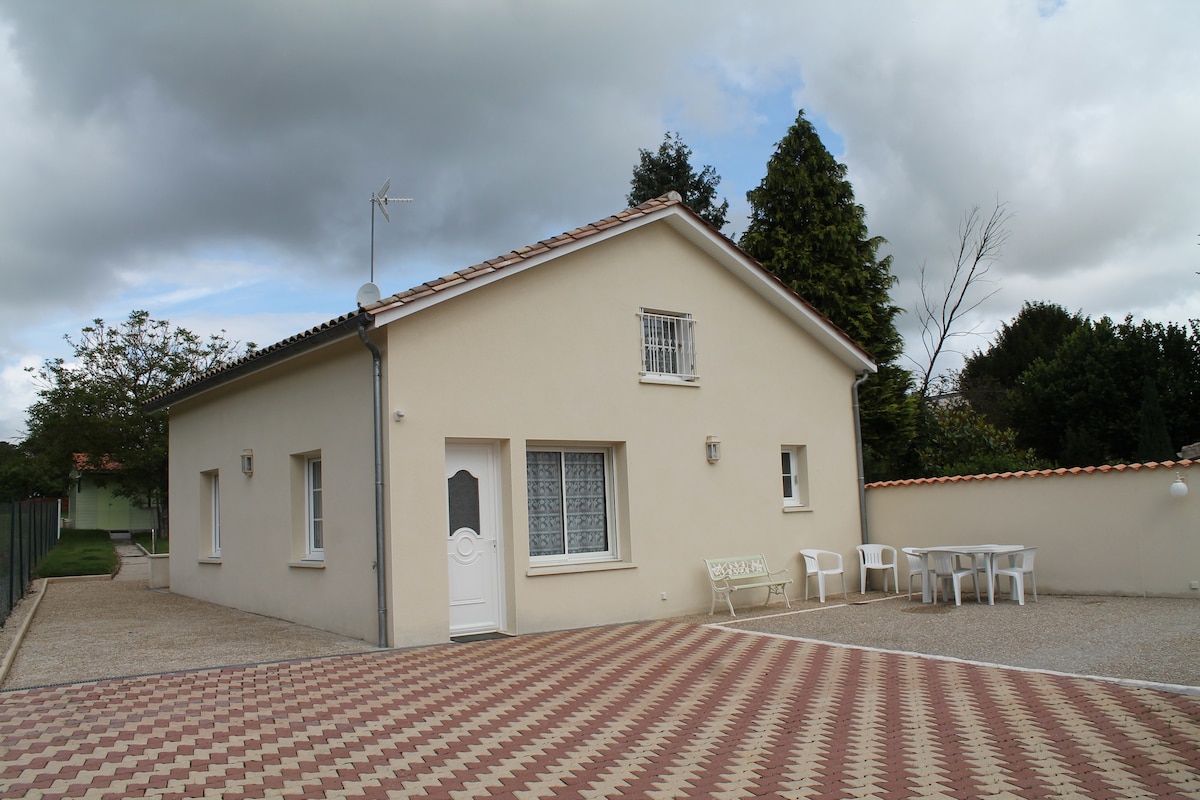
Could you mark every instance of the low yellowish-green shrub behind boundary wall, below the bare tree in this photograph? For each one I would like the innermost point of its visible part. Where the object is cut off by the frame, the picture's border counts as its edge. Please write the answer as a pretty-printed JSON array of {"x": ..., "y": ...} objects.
[{"x": 962, "y": 442}]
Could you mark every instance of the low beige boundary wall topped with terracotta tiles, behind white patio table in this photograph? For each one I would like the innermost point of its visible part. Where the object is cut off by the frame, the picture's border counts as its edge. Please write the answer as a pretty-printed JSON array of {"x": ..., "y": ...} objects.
[{"x": 1100, "y": 533}]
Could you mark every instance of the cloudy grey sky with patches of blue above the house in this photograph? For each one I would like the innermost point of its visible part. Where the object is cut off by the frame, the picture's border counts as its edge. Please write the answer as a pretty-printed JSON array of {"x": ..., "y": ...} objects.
[{"x": 213, "y": 163}]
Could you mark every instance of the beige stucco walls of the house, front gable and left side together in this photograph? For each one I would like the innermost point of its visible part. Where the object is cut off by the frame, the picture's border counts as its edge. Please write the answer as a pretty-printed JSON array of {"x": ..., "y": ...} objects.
[{"x": 551, "y": 354}]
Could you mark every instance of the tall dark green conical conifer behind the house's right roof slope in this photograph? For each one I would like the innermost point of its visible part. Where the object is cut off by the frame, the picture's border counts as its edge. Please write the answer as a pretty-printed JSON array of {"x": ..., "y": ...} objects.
[{"x": 807, "y": 230}]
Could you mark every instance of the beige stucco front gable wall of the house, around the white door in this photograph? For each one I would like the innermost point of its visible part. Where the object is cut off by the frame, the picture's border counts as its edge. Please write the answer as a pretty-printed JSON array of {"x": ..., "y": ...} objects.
[{"x": 553, "y": 356}]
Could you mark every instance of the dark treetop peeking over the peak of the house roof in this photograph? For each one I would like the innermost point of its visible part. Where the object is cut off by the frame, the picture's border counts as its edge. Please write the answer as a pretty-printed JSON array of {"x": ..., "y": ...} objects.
[{"x": 670, "y": 169}]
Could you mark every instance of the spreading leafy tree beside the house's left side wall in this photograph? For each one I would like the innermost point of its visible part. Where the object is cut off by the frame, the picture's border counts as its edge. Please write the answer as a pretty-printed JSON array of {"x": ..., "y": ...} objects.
[{"x": 93, "y": 405}]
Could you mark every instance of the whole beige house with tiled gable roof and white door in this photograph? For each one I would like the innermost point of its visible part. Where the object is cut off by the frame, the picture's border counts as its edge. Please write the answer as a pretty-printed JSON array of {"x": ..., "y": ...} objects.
[{"x": 551, "y": 440}]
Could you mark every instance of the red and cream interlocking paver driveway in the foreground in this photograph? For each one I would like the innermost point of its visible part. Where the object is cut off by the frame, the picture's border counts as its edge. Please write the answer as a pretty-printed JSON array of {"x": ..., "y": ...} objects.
[{"x": 651, "y": 711}]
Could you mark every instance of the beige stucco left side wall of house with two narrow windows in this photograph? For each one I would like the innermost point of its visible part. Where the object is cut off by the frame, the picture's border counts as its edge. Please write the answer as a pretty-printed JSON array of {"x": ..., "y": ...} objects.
[{"x": 321, "y": 402}]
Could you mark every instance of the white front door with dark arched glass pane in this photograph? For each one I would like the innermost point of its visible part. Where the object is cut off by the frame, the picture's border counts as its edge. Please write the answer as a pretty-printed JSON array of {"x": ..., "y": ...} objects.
[{"x": 473, "y": 540}]
